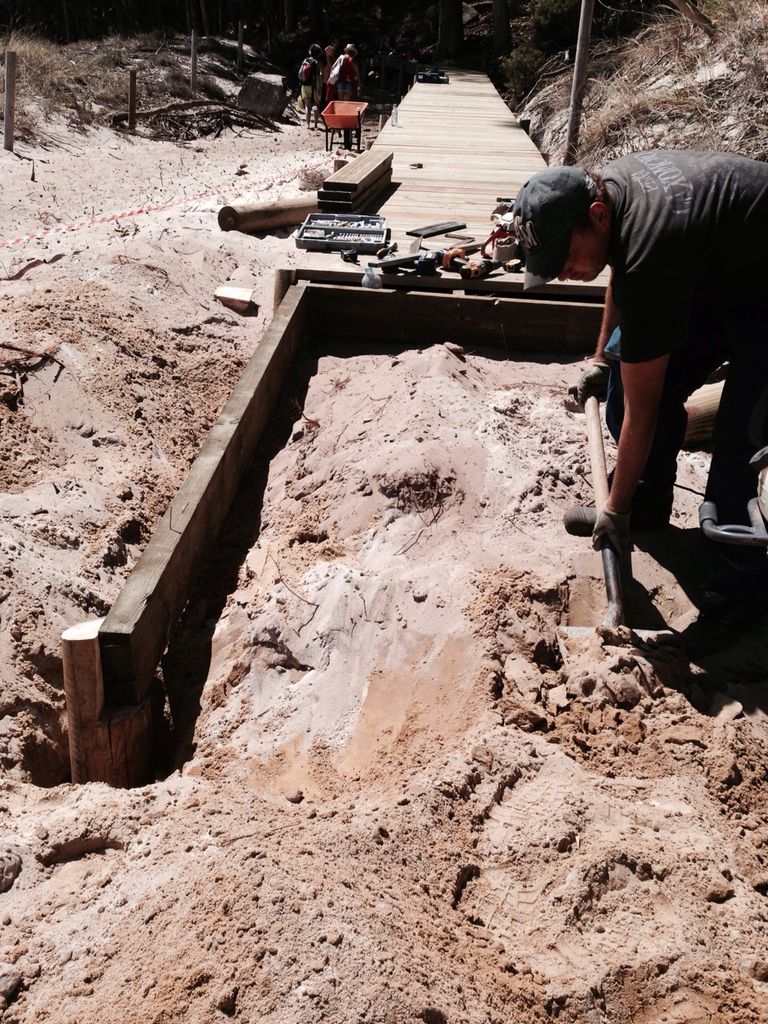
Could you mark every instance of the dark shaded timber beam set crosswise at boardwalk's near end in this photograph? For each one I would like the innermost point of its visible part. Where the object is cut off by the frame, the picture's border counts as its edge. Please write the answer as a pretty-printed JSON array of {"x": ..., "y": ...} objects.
[{"x": 513, "y": 325}]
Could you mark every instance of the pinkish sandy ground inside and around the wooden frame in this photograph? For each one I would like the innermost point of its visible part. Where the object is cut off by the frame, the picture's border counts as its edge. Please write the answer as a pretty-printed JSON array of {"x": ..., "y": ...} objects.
[{"x": 397, "y": 790}]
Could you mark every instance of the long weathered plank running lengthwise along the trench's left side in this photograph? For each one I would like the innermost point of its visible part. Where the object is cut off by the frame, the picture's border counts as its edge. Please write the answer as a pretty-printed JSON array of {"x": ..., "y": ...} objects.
[{"x": 135, "y": 634}]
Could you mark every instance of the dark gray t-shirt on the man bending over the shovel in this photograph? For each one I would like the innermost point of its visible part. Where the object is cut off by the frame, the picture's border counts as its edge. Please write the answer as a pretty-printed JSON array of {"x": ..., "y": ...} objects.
[{"x": 690, "y": 232}]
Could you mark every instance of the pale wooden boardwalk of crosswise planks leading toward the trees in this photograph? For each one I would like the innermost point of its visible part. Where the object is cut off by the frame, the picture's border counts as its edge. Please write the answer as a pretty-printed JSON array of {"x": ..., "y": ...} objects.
[{"x": 457, "y": 150}]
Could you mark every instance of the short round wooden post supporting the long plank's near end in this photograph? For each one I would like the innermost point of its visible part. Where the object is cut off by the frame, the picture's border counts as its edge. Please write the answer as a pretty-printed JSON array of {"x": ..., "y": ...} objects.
[{"x": 107, "y": 745}]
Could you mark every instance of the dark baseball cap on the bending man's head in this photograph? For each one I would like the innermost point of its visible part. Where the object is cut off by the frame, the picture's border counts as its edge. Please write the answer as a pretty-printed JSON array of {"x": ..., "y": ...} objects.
[{"x": 547, "y": 209}]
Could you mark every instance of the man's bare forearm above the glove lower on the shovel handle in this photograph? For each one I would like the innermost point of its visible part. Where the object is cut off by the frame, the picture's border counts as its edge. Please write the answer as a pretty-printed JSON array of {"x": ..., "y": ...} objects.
[{"x": 643, "y": 392}]
